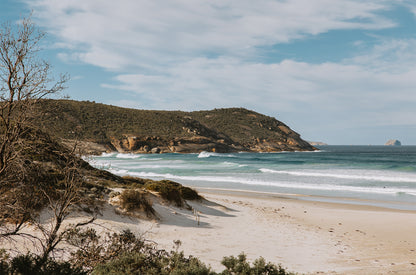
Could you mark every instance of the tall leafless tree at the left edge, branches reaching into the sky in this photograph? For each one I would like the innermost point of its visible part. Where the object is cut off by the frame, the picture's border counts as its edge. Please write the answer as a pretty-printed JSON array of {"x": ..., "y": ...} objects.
[{"x": 24, "y": 79}]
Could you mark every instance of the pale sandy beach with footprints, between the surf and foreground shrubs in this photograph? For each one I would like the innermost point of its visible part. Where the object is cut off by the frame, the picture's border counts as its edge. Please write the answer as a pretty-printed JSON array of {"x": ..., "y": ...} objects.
[{"x": 305, "y": 237}]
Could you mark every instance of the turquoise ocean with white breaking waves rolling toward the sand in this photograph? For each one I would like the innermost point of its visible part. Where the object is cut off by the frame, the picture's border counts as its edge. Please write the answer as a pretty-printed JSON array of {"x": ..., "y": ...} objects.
[{"x": 368, "y": 175}]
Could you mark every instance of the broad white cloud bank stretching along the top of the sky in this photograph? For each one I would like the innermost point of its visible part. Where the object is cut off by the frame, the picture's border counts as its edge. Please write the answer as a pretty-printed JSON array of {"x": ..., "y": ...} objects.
[{"x": 147, "y": 34}]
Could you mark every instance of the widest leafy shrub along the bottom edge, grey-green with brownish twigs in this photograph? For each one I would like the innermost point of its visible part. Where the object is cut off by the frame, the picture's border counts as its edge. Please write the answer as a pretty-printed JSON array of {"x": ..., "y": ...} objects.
[{"x": 124, "y": 253}]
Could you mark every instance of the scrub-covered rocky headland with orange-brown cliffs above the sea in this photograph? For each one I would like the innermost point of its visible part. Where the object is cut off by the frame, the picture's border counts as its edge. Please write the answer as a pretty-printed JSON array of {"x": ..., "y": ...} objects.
[{"x": 144, "y": 131}]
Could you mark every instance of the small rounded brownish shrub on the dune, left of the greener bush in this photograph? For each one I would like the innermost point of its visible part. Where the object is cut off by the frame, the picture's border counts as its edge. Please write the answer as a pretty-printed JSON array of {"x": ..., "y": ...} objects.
[{"x": 132, "y": 200}]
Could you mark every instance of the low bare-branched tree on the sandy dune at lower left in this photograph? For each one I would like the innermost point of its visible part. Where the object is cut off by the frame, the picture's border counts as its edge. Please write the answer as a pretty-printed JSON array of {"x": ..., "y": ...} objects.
[{"x": 59, "y": 198}]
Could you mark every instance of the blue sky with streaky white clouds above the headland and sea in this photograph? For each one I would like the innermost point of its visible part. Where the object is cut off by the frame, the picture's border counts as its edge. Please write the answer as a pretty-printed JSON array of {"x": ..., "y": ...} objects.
[{"x": 335, "y": 71}]
